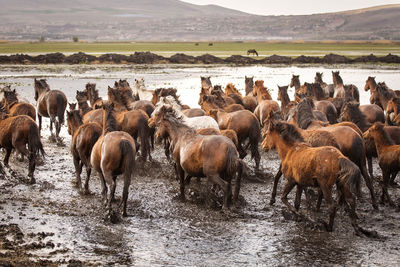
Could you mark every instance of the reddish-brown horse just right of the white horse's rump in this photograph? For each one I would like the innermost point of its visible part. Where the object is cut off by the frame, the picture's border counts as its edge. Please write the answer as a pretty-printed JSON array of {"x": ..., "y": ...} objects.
[{"x": 246, "y": 126}]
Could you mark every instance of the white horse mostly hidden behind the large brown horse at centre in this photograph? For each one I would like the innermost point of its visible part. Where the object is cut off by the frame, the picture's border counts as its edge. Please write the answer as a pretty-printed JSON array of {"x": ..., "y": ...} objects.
[{"x": 194, "y": 122}]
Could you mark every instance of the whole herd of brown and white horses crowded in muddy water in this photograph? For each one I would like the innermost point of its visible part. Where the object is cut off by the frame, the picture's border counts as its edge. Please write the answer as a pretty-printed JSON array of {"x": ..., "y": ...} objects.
[{"x": 323, "y": 137}]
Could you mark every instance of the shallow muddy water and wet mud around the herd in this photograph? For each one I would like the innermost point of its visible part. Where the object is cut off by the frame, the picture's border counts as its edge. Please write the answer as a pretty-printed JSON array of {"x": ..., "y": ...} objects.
[{"x": 50, "y": 222}]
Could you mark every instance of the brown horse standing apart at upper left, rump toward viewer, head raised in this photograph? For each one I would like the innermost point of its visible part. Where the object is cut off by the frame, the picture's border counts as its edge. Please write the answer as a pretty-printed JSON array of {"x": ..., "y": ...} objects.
[{"x": 50, "y": 103}]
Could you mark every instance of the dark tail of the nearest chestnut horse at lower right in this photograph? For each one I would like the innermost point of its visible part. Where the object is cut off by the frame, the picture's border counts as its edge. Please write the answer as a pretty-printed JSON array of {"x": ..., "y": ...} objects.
[{"x": 349, "y": 176}]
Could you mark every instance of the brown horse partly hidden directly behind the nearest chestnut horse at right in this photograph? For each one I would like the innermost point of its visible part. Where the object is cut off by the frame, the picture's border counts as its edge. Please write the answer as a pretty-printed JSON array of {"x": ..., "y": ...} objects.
[{"x": 348, "y": 136}]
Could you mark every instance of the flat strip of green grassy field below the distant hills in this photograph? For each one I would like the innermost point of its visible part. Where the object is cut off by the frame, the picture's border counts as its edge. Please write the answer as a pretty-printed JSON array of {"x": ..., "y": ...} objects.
[{"x": 222, "y": 49}]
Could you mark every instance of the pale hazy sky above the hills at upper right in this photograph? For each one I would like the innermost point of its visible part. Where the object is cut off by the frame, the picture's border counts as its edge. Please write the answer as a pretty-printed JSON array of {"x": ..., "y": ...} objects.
[{"x": 292, "y": 7}]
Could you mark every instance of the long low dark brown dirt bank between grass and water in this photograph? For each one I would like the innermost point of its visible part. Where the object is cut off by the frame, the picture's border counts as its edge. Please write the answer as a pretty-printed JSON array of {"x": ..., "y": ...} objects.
[{"x": 180, "y": 58}]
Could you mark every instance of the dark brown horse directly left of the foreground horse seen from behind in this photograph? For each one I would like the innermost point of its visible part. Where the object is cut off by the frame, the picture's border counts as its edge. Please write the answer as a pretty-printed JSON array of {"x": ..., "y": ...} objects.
[{"x": 84, "y": 136}]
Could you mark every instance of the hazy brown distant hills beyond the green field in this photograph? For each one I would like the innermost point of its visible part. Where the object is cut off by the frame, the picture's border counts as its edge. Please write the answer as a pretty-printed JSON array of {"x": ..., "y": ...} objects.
[{"x": 173, "y": 20}]
